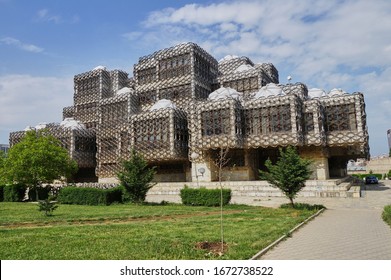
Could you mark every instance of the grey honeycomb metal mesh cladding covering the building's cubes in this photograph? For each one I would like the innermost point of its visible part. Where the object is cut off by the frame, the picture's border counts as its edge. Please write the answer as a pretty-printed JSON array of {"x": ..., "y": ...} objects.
[{"x": 186, "y": 74}]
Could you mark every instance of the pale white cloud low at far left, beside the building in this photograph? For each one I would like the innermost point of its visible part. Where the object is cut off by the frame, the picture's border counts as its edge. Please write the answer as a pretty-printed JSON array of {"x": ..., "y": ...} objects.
[{"x": 27, "y": 100}]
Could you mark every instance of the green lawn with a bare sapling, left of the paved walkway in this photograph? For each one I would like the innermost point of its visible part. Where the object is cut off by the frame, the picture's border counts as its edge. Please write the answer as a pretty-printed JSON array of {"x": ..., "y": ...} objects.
[{"x": 126, "y": 232}]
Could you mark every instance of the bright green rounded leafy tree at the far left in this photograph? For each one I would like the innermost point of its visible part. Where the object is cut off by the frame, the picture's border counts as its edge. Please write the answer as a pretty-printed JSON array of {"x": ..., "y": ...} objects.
[{"x": 38, "y": 159}]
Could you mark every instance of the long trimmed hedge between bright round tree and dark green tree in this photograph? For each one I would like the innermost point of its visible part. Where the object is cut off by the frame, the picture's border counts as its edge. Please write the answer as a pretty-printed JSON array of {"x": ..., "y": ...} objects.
[{"x": 89, "y": 196}]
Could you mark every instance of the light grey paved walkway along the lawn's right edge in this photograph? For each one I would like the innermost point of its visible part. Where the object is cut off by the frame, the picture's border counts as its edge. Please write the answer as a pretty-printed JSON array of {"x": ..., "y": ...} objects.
[{"x": 350, "y": 229}]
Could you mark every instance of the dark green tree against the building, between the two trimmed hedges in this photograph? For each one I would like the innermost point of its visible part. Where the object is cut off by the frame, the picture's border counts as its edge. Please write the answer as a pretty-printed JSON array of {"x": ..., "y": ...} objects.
[{"x": 136, "y": 177}]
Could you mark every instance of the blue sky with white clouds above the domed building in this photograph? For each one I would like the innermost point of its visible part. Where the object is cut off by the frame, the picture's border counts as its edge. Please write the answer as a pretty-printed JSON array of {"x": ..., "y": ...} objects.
[{"x": 325, "y": 44}]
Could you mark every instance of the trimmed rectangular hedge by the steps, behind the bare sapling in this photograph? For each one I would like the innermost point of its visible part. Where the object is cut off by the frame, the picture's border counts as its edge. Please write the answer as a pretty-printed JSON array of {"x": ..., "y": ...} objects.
[{"x": 204, "y": 197}]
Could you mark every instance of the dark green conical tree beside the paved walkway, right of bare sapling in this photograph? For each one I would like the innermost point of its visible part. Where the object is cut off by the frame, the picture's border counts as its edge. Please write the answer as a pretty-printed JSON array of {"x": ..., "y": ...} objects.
[{"x": 289, "y": 173}]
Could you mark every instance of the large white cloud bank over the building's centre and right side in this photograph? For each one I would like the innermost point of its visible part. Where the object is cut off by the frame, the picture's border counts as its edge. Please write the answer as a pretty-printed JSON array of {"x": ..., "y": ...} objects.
[{"x": 343, "y": 44}]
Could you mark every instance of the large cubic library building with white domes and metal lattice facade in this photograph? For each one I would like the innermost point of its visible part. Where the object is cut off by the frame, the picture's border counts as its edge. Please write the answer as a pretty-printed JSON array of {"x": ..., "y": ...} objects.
[{"x": 182, "y": 106}]
